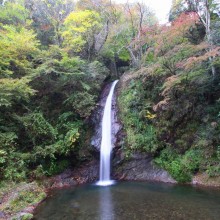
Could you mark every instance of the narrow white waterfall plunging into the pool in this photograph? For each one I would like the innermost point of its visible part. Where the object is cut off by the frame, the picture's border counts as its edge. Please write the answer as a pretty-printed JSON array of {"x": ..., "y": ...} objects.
[{"x": 106, "y": 143}]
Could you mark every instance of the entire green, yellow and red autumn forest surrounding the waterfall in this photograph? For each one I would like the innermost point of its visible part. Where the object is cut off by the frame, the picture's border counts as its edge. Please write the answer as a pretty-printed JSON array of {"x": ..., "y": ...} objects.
[{"x": 55, "y": 56}]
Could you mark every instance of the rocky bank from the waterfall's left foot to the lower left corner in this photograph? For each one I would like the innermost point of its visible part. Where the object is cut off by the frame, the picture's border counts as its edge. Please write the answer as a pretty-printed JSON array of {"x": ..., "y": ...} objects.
[{"x": 13, "y": 197}]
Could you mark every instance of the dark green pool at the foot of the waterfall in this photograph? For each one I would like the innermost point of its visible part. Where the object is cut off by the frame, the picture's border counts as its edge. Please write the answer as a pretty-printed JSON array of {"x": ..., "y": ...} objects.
[{"x": 131, "y": 200}]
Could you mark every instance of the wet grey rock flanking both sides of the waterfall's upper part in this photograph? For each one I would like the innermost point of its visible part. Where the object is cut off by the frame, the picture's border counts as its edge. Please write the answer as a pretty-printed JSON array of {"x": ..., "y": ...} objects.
[{"x": 97, "y": 119}]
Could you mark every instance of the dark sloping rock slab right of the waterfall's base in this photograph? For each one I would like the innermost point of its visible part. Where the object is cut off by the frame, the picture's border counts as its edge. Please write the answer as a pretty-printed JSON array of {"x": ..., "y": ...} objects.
[{"x": 140, "y": 167}]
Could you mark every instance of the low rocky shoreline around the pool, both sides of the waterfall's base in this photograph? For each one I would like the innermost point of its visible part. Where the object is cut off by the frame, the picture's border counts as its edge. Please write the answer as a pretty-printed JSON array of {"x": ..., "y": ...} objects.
[{"x": 138, "y": 168}]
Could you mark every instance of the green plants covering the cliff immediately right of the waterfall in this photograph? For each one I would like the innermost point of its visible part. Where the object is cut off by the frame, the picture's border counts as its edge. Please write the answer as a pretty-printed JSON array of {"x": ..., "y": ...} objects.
[{"x": 137, "y": 120}]
